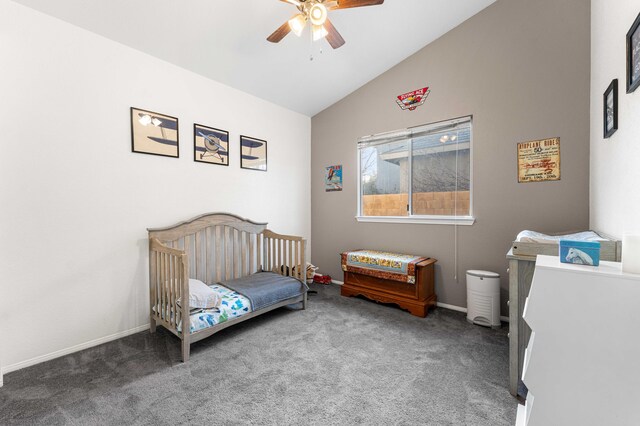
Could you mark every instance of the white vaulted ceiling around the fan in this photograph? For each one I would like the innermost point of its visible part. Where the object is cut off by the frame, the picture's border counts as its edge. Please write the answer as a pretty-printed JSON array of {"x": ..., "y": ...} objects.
[{"x": 225, "y": 40}]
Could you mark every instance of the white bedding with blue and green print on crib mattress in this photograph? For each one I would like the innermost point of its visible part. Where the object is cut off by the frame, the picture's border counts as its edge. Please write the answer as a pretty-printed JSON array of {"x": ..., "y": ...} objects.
[{"x": 233, "y": 305}]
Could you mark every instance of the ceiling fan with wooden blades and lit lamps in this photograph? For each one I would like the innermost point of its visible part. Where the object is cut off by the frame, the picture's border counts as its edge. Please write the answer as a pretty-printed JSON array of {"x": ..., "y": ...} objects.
[{"x": 316, "y": 11}]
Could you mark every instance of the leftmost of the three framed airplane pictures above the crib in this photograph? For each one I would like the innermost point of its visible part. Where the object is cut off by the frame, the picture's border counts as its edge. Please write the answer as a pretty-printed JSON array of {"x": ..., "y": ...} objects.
[{"x": 154, "y": 133}]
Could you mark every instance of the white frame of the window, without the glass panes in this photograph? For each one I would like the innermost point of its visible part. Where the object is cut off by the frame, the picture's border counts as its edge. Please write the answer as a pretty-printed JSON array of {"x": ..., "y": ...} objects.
[{"x": 420, "y": 219}]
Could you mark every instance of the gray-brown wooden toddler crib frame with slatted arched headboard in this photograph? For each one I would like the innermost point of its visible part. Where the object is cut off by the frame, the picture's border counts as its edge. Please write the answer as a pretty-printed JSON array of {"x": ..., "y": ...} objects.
[{"x": 215, "y": 247}]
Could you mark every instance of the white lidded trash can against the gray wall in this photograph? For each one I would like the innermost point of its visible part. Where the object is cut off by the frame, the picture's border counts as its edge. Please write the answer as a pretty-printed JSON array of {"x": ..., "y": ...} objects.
[{"x": 483, "y": 298}]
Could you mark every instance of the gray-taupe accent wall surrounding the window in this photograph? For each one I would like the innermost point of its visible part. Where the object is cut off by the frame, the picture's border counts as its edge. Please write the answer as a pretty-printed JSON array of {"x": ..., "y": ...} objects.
[{"x": 522, "y": 69}]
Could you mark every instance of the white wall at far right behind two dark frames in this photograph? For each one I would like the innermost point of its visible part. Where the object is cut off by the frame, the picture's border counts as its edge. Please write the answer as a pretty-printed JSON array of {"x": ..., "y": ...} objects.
[{"x": 615, "y": 172}]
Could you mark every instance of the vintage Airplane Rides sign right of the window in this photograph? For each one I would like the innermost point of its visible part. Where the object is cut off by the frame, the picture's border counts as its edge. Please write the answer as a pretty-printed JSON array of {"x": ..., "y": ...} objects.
[{"x": 539, "y": 160}]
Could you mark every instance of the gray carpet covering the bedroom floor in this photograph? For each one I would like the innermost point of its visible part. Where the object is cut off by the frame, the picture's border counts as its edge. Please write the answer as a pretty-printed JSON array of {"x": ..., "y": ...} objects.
[{"x": 342, "y": 361}]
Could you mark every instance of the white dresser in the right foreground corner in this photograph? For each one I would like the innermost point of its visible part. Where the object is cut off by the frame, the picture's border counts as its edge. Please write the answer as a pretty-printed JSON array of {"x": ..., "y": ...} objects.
[{"x": 582, "y": 363}]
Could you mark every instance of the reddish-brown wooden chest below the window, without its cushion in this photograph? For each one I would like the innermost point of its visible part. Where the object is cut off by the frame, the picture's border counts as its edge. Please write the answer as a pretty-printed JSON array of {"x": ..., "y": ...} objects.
[{"x": 415, "y": 298}]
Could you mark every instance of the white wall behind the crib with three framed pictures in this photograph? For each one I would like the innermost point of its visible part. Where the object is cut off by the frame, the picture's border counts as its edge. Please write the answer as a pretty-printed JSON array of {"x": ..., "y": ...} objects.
[{"x": 76, "y": 201}]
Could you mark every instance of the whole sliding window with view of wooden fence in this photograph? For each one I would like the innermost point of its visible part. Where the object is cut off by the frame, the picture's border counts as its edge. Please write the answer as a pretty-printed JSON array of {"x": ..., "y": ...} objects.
[{"x": 421, "y": 174}]
